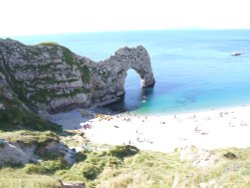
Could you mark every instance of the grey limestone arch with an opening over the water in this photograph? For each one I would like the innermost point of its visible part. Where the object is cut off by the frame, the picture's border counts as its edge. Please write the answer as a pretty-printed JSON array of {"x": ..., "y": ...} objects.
[{"x": 113, "y": 71}]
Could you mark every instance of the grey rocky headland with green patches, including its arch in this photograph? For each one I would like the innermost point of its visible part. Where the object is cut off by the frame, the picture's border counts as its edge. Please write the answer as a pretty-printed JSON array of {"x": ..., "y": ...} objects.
[{"x": 49, "y": 77}]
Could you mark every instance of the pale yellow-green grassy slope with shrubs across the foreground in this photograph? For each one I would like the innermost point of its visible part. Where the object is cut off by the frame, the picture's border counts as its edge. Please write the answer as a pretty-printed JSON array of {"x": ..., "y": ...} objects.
[{"x": 121, "y": 167}]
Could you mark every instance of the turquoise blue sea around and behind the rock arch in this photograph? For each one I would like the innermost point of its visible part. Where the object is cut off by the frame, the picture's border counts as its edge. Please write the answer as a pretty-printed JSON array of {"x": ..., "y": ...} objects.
[{"x": 194, "y": 70}]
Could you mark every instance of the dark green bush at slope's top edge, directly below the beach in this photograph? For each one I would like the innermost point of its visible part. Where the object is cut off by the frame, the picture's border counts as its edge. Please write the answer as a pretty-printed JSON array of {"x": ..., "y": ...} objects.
[{"x": 123, "y": 151}]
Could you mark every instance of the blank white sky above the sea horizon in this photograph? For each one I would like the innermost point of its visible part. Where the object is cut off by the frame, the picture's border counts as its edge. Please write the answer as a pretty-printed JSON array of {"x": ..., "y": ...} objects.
[{"x": 37, "y": 17}]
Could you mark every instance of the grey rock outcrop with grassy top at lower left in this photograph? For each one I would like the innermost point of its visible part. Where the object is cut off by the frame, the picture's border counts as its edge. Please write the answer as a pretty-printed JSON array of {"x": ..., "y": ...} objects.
[{"x": 26, "y": 147}]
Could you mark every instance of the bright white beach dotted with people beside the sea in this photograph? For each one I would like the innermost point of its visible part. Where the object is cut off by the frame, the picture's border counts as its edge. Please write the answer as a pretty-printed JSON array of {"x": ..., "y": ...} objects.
[{"x": 210, "y": 129}]
